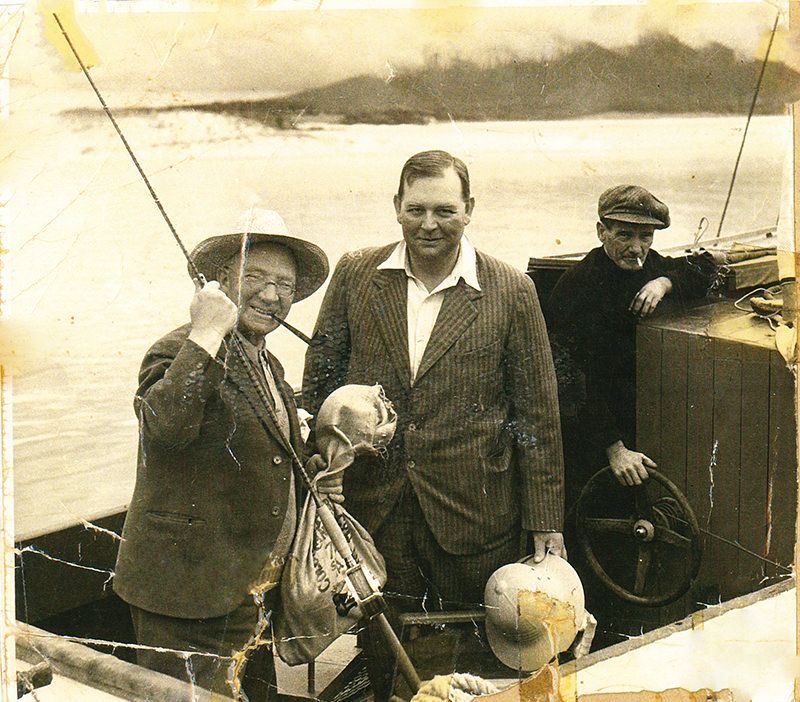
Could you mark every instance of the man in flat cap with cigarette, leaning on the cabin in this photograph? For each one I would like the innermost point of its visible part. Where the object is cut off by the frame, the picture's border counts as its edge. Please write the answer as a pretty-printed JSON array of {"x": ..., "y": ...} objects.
[{"x": 592, "y": 315}]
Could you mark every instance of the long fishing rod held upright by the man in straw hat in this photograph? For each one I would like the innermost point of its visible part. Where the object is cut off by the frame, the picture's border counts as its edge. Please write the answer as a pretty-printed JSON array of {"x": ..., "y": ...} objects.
[{"x": 369, "y": 598}]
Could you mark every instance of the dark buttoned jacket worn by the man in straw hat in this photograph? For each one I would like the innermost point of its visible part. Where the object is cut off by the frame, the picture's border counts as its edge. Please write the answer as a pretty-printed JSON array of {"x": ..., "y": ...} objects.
[{"x": 212, "y": 482}]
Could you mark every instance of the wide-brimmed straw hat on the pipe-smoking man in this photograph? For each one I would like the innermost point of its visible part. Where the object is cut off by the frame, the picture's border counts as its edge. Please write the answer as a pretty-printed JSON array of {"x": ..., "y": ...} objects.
[{"x": 260, "y": 226}]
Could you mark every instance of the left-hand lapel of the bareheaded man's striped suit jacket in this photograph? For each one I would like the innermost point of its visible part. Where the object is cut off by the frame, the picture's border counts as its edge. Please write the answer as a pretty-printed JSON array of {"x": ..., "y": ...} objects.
[{"x": 390, "y": 309}]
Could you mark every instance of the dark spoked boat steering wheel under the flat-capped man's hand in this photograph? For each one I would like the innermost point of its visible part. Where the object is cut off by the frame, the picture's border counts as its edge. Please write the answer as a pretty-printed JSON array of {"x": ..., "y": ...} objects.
[{"x": 643, "y": 541}]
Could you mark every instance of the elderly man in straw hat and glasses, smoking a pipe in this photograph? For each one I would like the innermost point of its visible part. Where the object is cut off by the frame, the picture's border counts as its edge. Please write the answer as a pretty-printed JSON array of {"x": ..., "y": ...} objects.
[{"x": 213, "y": 512}]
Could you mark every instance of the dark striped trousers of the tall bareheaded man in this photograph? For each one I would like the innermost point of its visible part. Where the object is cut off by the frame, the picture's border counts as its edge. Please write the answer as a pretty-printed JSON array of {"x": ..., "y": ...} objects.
[{"x": 422, "y": 576}]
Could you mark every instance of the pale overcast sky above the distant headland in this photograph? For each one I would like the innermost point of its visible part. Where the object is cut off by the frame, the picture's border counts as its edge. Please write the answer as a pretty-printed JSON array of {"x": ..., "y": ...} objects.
[{"x": 158, "y": 57}]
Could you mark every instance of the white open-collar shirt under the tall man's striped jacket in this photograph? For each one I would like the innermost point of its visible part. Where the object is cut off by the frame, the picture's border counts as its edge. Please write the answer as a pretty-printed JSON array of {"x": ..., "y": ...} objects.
[{"x": 423, "y": 306}]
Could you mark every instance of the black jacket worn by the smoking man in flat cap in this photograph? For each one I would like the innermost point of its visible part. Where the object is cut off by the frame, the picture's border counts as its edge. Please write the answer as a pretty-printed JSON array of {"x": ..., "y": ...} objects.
[{"x": 594, "y": 340}]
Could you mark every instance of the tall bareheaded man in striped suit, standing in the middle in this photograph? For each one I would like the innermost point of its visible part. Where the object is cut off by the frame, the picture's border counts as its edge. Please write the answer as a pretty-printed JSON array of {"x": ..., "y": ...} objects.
[{"x": 457, "y": 340}]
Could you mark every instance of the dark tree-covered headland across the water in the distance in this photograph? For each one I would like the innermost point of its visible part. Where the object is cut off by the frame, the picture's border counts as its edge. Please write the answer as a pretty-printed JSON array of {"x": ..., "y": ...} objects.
[{"x": 657, "y": 75}]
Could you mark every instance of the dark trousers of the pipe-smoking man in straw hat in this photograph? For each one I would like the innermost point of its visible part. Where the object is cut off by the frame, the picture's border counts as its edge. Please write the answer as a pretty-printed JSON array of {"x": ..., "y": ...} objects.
[{"x": 209, "y": 647}]
